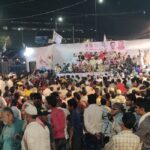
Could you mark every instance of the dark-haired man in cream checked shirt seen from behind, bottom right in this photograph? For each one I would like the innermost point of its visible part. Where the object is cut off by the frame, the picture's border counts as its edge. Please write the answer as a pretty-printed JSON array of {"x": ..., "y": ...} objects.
[{"x": 125, "y": 140}]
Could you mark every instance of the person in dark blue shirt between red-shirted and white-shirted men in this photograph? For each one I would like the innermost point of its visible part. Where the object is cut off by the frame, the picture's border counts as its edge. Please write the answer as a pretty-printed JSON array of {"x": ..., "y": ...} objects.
[{"x": 75, "y": 124}]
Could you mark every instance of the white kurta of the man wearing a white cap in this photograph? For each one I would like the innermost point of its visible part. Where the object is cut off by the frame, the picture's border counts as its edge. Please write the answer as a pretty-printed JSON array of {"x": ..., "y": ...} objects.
[{"x": 36, "y": 137}]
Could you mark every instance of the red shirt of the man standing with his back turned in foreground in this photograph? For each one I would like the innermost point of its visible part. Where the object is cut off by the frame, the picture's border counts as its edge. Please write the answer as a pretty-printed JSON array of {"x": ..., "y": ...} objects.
[{"x": 58, "y": 123}]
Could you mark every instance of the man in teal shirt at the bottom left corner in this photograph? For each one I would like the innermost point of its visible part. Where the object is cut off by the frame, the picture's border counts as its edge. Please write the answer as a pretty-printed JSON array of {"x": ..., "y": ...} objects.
[{"x": 10, "y": 138}]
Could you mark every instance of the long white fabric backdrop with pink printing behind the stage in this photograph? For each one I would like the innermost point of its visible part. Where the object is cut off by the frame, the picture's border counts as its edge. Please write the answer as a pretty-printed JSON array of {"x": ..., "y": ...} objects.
[{"x": 47, "y": 57}]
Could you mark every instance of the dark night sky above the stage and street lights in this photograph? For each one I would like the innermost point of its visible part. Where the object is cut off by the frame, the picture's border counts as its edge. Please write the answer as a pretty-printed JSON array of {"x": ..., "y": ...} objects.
[{"x": 118, "y": 19}]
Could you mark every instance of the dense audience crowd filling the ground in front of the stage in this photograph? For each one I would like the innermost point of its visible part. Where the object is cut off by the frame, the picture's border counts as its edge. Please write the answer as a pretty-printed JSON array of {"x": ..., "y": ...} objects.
[{"x": 44, "y": 112}]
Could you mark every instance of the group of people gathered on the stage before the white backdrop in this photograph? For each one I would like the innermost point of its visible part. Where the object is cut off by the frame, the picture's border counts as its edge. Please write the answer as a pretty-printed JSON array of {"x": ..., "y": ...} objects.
[{"x": 99, "y": 62}]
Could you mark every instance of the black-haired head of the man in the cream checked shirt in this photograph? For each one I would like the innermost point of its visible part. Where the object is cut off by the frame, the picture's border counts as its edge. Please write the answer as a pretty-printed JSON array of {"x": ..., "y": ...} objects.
[{"x": 129, "y": 120}]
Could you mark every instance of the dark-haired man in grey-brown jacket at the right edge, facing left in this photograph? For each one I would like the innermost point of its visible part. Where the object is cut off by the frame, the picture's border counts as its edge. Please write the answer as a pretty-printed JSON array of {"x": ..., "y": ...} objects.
[{"x": 143, "y": 131}]
